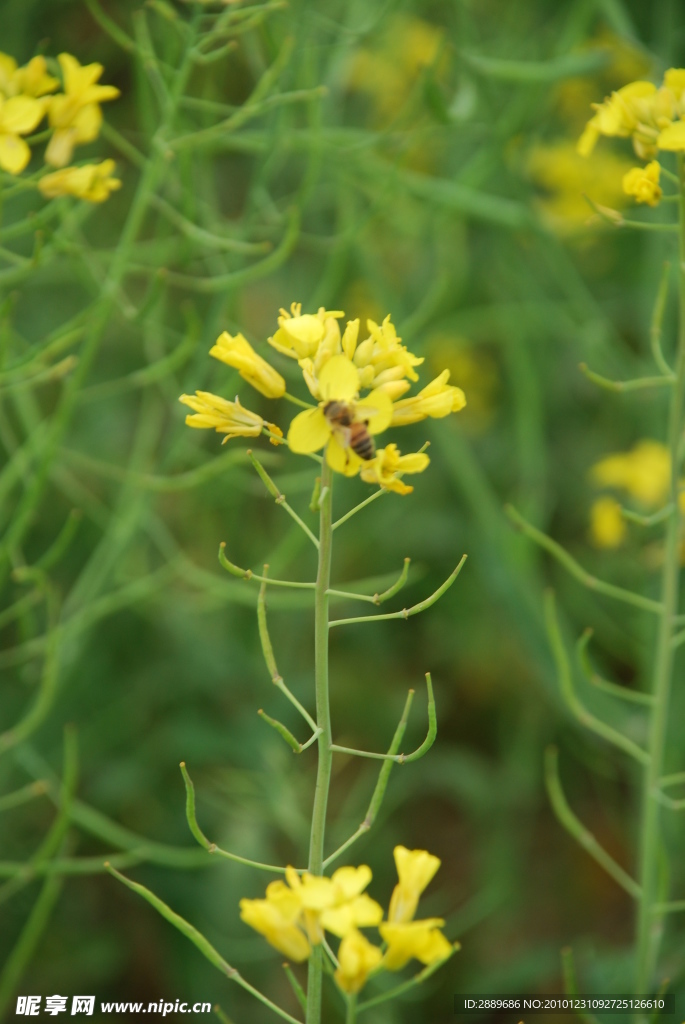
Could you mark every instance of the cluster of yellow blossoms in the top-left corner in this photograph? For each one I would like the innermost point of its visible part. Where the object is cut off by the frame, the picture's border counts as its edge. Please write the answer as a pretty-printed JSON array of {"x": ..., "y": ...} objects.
[{"x": 28, "y": 96}]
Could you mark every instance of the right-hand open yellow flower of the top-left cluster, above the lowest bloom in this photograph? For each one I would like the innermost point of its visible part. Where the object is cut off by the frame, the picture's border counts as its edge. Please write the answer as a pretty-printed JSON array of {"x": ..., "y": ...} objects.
[{"x": 75, "y": 115}]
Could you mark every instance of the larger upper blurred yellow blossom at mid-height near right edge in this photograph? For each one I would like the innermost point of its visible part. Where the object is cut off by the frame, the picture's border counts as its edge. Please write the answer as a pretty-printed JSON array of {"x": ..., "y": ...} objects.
[{"x": 645, "y": 474}]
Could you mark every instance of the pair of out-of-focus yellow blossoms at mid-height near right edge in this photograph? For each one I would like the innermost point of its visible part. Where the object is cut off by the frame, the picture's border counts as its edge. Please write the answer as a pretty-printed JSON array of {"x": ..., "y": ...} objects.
[{"x": 644, "y": 475}]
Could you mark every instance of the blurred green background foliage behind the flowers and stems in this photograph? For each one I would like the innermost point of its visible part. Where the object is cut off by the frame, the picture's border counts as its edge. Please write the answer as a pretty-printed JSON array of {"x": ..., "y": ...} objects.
[{"x": 436, "y": 179}]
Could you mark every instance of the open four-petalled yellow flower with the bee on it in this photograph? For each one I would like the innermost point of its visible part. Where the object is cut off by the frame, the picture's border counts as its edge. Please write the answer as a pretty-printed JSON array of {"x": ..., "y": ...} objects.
[{"x": 314, "y": 430}]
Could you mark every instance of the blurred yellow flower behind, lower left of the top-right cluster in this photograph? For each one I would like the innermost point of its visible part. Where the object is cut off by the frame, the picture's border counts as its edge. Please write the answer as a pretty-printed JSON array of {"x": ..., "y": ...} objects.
[{"x": 567, "y": 179}]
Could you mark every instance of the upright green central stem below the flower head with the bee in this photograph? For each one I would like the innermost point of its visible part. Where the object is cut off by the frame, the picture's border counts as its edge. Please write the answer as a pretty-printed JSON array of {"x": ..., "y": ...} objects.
[{"x": 323, "y": 722}]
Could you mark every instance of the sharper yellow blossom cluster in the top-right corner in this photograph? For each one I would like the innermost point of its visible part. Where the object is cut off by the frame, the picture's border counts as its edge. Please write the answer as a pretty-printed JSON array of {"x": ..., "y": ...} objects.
[{"x": 654, "y": 118}]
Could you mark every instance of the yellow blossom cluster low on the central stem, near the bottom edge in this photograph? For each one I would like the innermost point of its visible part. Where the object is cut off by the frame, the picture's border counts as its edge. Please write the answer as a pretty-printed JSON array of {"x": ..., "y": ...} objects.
[{"x": 295, "y": 915}]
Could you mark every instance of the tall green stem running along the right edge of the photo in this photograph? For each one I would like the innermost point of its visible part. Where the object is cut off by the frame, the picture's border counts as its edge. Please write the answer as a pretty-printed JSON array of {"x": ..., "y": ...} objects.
[{"x": 650, "y": 924}]
